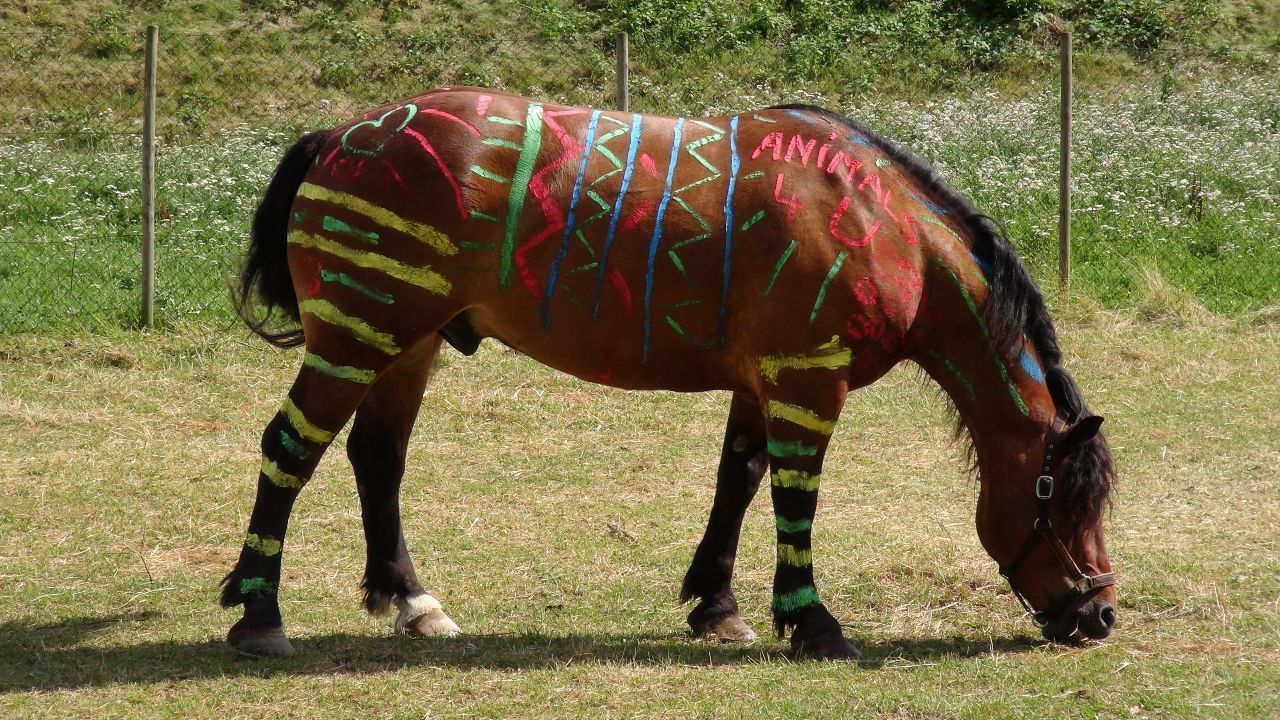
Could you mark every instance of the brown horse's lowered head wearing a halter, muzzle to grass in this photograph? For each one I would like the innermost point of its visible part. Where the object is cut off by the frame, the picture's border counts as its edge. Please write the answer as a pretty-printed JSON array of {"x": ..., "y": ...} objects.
[{"x": 1044, "y": 525}]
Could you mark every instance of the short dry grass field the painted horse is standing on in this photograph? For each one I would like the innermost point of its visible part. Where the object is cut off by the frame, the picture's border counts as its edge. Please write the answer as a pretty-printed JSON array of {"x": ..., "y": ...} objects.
[{"x": 555, "y": 520}]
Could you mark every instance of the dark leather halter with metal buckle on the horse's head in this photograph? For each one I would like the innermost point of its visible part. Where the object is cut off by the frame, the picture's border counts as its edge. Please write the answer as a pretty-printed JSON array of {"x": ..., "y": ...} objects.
[{"x": 1082, "y": 585}]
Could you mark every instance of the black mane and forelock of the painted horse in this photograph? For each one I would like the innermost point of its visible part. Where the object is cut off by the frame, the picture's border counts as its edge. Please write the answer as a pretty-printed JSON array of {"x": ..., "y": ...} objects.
[{"x": 1014, "y": 309}]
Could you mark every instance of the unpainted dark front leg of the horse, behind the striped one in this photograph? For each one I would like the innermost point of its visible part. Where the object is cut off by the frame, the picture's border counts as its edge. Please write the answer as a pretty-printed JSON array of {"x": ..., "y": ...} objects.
[{"x": 744, "y": 461}]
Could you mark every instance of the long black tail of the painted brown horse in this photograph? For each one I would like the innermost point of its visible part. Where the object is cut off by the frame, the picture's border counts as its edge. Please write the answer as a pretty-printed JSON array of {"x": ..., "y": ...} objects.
[{"x": 266, "y": 274}]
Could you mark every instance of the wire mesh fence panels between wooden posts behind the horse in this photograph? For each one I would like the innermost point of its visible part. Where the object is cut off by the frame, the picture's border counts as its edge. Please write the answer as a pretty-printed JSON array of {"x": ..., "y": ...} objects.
[{"x": 1168, "y": 180}]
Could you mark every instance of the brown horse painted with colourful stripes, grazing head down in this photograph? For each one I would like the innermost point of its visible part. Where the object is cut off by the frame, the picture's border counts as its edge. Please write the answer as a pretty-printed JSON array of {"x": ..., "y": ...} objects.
[{"x": 785, "y": 256}]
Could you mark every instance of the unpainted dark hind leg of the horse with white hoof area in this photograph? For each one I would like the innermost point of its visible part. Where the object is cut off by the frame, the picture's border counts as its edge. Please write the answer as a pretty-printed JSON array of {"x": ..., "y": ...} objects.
[{"x": 377, "y": 449}]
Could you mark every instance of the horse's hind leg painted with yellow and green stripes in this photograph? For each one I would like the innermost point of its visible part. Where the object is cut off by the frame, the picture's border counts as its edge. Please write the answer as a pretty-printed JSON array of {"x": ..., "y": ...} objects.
[{"x": 333, "y": 380}]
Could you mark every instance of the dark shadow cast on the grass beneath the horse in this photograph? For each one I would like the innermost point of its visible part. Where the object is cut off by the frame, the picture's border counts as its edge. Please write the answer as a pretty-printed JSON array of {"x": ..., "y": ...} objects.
[{"x": 65, "y": 657}]
